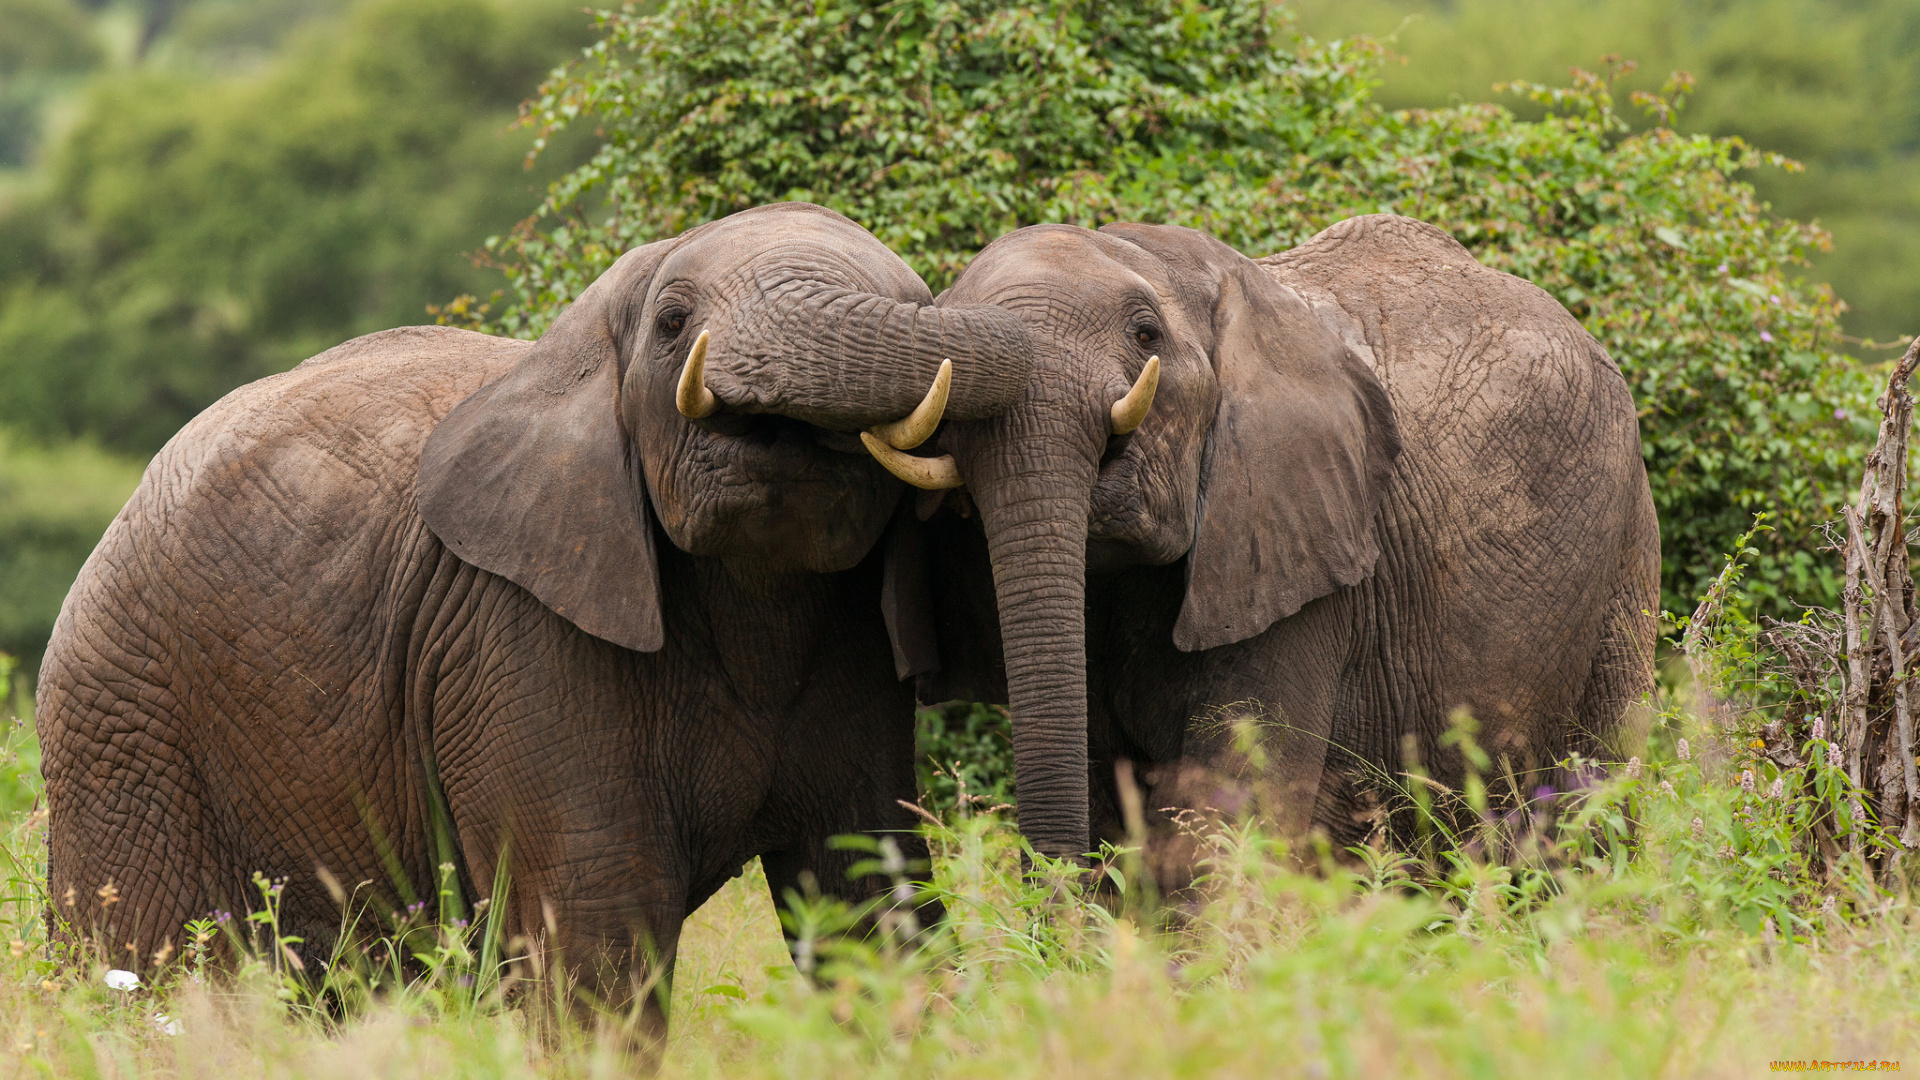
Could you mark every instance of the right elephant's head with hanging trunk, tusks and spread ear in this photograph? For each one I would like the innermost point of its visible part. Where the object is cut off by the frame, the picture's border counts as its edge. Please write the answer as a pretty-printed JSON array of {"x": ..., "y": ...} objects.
[{"x": 1182, "y": 405}]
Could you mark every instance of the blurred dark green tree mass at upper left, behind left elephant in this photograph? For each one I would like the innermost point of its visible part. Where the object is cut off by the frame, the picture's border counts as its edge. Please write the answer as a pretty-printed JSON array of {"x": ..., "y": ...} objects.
[{"x": 197, "y": 233}]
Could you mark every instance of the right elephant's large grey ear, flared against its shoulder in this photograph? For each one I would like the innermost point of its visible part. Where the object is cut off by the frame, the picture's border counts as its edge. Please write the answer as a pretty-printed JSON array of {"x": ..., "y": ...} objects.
[{"x": 1295, "y": 466}]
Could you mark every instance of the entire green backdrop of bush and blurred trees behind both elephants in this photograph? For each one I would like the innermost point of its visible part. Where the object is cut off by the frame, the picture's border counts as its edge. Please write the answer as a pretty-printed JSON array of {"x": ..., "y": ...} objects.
[{"x": 197, "y": 193}]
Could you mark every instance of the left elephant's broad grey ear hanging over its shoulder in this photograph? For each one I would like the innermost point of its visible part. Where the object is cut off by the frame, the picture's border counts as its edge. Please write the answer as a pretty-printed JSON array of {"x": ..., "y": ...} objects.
[{"x": 533, "y": 478}]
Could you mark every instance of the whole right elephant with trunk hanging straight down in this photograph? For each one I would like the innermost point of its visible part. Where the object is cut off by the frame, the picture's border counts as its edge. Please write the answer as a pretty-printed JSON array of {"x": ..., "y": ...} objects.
[{"x": 1378, "y": 483}]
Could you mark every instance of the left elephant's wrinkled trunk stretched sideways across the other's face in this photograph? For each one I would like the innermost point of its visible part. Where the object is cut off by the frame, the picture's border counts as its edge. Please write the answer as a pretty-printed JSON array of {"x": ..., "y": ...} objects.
[{"x": 850, "y": 360}]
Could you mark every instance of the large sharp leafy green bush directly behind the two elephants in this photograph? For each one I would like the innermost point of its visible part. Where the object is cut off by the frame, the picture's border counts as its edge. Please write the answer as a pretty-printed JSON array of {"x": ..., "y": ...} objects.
[{"x": 942, "y": 124}]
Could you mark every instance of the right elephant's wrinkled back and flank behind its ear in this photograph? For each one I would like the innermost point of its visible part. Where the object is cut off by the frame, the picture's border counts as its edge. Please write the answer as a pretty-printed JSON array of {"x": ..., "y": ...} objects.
[{"x": 1520, "y": 522}]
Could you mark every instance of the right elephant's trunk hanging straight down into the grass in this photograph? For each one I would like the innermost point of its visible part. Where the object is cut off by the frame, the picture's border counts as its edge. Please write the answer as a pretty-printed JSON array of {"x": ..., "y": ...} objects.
[{"x": 1034, "y": 506}]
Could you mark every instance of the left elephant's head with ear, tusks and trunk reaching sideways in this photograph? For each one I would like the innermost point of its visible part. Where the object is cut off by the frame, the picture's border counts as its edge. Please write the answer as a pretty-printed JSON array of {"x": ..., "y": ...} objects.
[{"x": 711, "y": 381}]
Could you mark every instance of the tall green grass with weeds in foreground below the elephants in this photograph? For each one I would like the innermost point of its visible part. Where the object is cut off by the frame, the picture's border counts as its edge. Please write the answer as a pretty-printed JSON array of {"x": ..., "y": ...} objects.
[{"x": 1671, "y": 920}]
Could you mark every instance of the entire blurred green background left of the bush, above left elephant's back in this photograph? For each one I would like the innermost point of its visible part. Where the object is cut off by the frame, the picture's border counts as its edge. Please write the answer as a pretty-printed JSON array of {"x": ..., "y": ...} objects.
[{"x": 224, "y": 212}]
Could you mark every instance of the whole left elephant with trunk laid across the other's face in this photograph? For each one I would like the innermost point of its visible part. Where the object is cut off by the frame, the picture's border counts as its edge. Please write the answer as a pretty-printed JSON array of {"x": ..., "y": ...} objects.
[{"x": 640, "y": 650}]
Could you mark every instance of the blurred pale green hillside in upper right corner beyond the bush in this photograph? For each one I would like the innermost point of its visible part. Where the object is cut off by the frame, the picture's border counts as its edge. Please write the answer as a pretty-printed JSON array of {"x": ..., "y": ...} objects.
[{"x": 1827, "y": 82}]
